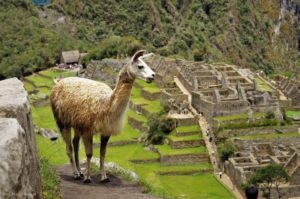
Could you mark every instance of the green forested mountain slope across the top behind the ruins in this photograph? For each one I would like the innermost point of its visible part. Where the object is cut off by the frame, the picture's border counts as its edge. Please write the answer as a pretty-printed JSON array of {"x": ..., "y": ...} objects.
[{"x": 261, "y": 34}]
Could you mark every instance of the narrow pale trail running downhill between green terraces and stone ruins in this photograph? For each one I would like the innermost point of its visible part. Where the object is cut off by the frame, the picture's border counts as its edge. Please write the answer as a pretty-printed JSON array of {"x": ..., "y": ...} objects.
[{"x": 211, "y": 146}]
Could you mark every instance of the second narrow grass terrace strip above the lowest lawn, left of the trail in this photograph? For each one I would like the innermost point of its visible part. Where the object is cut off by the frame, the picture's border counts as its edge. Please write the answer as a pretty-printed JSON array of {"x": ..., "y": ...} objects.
[{"x": 167, "y": 150}]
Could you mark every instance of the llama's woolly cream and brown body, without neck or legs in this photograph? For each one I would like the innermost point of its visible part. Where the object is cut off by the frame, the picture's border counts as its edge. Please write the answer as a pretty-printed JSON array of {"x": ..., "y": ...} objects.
[{"x": 76, "y": 102}]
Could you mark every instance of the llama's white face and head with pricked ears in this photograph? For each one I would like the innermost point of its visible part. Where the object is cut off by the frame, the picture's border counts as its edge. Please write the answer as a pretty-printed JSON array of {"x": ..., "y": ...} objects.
[{"x": 139, "y": 69}]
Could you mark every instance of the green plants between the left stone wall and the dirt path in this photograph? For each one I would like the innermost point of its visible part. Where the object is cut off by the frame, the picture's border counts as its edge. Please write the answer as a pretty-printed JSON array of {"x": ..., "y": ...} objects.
[{"x": 50, "y": 181}]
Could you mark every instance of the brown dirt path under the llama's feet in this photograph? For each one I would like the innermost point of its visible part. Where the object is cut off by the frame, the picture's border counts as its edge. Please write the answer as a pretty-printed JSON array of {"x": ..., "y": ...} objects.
[{"x": 115, "y": 189}]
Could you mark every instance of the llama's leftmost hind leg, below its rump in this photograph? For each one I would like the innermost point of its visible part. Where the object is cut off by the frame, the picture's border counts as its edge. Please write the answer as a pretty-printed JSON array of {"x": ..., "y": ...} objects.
[{"x": 66, "y": 134}]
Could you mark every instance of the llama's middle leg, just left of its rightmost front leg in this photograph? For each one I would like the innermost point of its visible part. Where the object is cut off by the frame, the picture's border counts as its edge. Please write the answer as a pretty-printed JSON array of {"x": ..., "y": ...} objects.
[{"x": 88, "y": 144}]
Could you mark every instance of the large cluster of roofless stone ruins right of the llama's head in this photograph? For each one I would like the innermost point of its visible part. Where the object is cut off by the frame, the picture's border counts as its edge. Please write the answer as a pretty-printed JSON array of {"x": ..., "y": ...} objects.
[{"x": 217, "y": 89}]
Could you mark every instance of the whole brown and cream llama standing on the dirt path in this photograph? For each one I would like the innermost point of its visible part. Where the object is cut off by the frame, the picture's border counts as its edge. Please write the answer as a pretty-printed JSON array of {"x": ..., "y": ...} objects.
[{"x": 91, "y": 107}]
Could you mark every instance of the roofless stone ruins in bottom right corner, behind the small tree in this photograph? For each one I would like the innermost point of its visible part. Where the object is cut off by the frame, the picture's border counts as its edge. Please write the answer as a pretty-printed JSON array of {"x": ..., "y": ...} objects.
[{"x": 242, "y": 168}]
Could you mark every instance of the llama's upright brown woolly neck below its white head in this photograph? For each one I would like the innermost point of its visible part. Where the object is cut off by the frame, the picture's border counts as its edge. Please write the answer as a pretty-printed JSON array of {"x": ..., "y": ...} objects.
[{"x": 120, "y": 97}]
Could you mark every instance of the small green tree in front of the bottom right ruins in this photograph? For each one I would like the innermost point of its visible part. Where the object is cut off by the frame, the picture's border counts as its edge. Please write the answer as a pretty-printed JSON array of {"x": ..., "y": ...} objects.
[{"x": 271, "y": 175}]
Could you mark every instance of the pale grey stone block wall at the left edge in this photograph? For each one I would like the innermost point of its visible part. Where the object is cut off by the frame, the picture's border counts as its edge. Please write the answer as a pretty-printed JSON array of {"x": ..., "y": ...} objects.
[{"x": 19, "y": 163}]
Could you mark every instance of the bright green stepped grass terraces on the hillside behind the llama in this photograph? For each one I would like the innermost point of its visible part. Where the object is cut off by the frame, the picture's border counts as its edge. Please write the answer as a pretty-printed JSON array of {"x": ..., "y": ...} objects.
[{"x": 180, "y": 169}]
